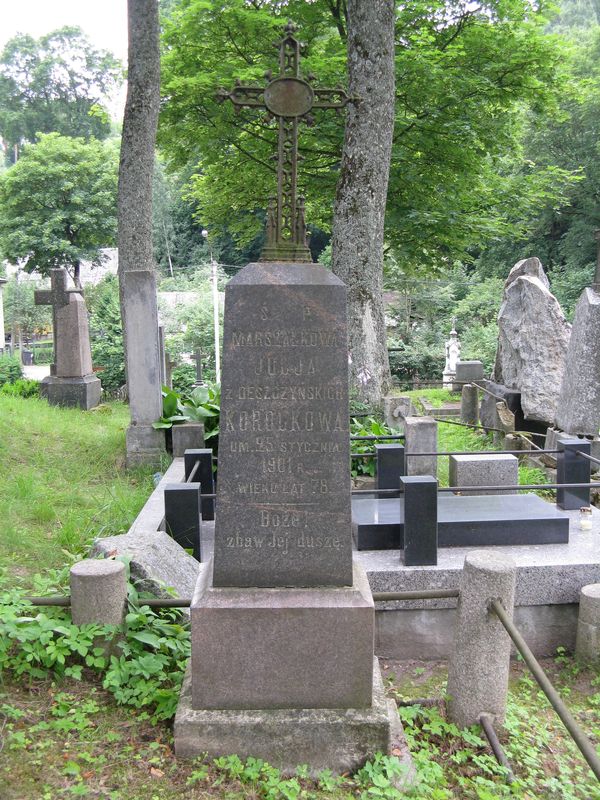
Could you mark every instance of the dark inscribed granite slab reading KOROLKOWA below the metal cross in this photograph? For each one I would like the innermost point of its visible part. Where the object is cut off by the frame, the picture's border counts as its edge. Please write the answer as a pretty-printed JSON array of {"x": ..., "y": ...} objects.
[{"x": 284, "y": 484}]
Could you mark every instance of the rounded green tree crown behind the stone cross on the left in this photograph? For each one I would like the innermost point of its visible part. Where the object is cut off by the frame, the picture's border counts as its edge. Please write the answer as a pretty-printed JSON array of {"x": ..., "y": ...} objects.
[{"x": 58, "y": 204}]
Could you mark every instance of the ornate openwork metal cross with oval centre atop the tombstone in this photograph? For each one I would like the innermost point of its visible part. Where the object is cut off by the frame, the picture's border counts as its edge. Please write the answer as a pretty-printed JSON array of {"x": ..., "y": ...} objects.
[{"x": 288, "y": 98}]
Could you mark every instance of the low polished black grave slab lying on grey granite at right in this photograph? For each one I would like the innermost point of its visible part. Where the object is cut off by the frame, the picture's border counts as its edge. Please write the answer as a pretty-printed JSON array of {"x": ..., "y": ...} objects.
[{"x": 474, "y": 521}]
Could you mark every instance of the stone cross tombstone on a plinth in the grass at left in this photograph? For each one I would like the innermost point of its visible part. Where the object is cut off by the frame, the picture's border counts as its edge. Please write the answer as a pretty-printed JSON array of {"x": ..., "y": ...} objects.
[{"x": 71, "y": 381}]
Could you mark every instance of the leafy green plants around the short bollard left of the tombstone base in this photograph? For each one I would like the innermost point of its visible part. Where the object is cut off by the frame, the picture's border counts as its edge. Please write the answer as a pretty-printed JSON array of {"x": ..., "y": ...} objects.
[{"x": 145, "y": 663}]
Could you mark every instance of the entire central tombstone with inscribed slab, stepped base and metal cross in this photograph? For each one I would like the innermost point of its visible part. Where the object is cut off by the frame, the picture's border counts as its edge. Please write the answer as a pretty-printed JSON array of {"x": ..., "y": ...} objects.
[{"x": 282, "y": 663}]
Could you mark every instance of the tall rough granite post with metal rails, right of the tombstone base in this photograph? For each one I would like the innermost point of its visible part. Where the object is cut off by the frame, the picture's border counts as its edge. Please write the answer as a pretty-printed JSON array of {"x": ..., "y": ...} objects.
[{"x": 479, "y": 664}]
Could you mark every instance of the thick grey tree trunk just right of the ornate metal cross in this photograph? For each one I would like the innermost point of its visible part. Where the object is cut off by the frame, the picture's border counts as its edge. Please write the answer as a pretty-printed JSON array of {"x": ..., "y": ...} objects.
[{"x": 359, "y": 210}]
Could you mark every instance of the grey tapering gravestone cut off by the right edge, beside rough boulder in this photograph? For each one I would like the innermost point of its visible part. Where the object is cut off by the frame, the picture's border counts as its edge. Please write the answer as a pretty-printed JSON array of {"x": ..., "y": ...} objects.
[{"x": 578, "y": 408}]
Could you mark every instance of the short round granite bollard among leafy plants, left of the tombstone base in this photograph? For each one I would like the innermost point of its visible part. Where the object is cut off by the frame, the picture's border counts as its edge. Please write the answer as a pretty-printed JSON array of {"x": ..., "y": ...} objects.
[{"x": 98, "y": 592}]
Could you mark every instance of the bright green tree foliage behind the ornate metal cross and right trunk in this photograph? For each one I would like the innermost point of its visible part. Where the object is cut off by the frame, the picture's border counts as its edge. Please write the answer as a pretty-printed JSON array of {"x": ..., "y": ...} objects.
[{"x": 465, "y": 75}]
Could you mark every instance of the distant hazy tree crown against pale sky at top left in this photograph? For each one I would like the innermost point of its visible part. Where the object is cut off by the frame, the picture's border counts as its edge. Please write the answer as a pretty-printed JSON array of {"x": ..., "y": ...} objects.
[{"x": 58, "y": 82}]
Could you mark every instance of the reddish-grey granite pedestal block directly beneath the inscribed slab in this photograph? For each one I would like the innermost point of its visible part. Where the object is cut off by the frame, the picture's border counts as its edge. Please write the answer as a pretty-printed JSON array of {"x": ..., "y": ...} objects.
[{"x": 282, "y": 648}]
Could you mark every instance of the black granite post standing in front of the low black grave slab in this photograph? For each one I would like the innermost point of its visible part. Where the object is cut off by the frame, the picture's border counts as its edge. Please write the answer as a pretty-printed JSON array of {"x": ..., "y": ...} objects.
[{"x": 420, "y": 520}]
